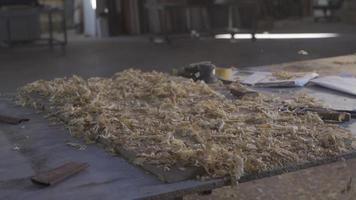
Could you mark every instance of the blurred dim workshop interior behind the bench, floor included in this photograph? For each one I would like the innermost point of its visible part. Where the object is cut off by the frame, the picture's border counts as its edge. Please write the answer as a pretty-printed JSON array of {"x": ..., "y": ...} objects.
[{"x": 42, "y": 39}]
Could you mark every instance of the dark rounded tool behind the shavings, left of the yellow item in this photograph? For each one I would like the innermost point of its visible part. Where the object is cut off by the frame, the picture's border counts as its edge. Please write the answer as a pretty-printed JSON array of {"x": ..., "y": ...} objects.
[{"x": 204, "y": 71}]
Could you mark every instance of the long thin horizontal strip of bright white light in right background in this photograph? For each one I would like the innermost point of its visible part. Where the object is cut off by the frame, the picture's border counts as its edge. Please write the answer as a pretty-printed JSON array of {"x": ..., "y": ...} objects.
[{"x": 276, "y": 36}]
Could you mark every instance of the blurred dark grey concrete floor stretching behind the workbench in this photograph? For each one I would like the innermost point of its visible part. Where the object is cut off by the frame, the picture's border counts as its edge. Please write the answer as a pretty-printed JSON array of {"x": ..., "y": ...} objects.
[{"x": 87, "y": 57}]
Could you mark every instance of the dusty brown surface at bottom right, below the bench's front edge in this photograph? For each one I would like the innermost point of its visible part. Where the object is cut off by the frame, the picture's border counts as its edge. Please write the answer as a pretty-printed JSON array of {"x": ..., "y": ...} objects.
[{"x": 333, "y": 181}]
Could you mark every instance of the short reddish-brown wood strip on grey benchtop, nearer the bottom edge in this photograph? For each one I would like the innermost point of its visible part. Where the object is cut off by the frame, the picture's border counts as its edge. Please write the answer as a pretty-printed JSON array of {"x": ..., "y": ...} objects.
[{"x": 58, "y": 174}]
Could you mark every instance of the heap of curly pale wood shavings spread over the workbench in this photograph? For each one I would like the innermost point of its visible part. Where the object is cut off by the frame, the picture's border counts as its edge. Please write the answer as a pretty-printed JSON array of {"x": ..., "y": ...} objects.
[{"x": 171, "y": 121}]
